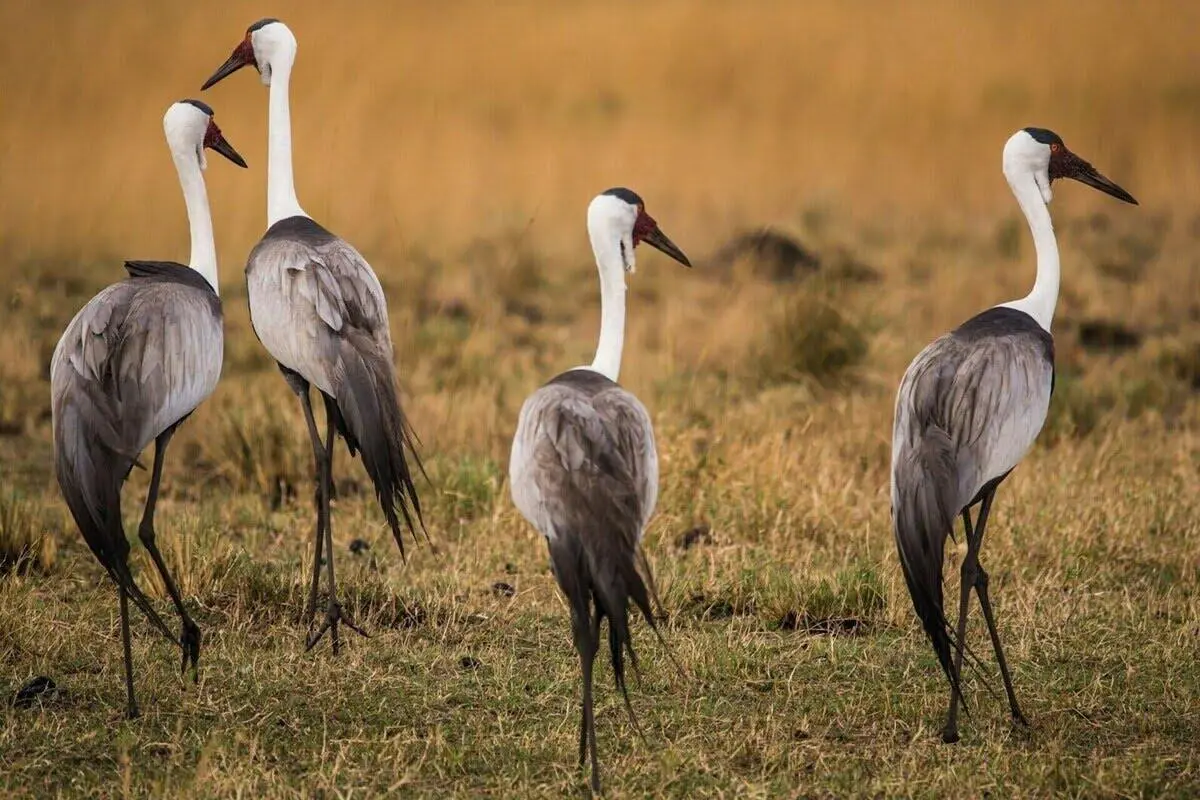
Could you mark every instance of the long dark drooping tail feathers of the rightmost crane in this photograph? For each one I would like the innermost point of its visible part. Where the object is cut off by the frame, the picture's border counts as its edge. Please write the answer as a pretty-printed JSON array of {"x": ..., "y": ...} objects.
[{"x": 922, "y": 519}]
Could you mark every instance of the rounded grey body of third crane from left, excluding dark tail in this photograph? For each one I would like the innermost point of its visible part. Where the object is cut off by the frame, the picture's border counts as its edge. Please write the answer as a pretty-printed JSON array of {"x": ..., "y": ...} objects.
[{"x": 584, "y": 461}]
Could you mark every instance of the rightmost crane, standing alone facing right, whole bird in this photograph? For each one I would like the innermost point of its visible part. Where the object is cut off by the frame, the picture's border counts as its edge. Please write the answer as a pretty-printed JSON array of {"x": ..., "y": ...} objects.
[{"x": 969, "y": 410}]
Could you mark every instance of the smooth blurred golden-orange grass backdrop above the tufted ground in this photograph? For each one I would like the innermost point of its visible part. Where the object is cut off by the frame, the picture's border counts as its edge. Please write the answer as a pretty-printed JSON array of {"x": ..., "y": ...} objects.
[{"x": 437, "y": 123}]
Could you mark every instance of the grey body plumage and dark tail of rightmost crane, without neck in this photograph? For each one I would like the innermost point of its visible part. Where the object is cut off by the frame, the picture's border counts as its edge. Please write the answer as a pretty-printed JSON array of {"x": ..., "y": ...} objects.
[{"x": 969, "y": 410}]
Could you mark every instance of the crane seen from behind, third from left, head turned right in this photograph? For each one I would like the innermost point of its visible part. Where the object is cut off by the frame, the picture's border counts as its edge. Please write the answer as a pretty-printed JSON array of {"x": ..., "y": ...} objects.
[{"x": 584, "y": 470}]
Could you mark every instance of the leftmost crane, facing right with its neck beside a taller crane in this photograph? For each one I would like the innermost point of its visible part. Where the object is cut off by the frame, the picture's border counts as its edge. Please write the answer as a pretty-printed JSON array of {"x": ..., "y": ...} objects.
[{"x": 131, "y": 366}]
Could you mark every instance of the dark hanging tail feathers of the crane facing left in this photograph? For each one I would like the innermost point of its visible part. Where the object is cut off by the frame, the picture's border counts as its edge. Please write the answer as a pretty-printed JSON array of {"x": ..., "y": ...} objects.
[{"x": 374, "y": 425}]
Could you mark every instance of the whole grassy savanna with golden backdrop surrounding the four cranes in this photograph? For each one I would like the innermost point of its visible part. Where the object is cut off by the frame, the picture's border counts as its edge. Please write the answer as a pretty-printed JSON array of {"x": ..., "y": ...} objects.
[{"x": 458, "y": 147}]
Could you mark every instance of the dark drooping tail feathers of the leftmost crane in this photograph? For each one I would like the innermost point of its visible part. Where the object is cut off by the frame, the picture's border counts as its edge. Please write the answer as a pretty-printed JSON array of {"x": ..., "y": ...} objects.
[{"x": 91, "y": 470}]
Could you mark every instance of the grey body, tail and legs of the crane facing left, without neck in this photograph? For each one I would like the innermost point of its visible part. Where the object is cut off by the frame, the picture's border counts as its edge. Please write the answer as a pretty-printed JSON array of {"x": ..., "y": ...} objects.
[{"x": 320, "y": 310}]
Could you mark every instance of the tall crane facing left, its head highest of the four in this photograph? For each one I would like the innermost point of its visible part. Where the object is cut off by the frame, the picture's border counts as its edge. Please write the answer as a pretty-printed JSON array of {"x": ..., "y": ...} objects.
[{"x": 319, "y": 309}]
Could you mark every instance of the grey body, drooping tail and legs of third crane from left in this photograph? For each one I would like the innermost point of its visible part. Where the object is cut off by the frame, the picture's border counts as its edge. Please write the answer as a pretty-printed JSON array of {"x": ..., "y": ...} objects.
[{"x": 585, "y": 473}]
